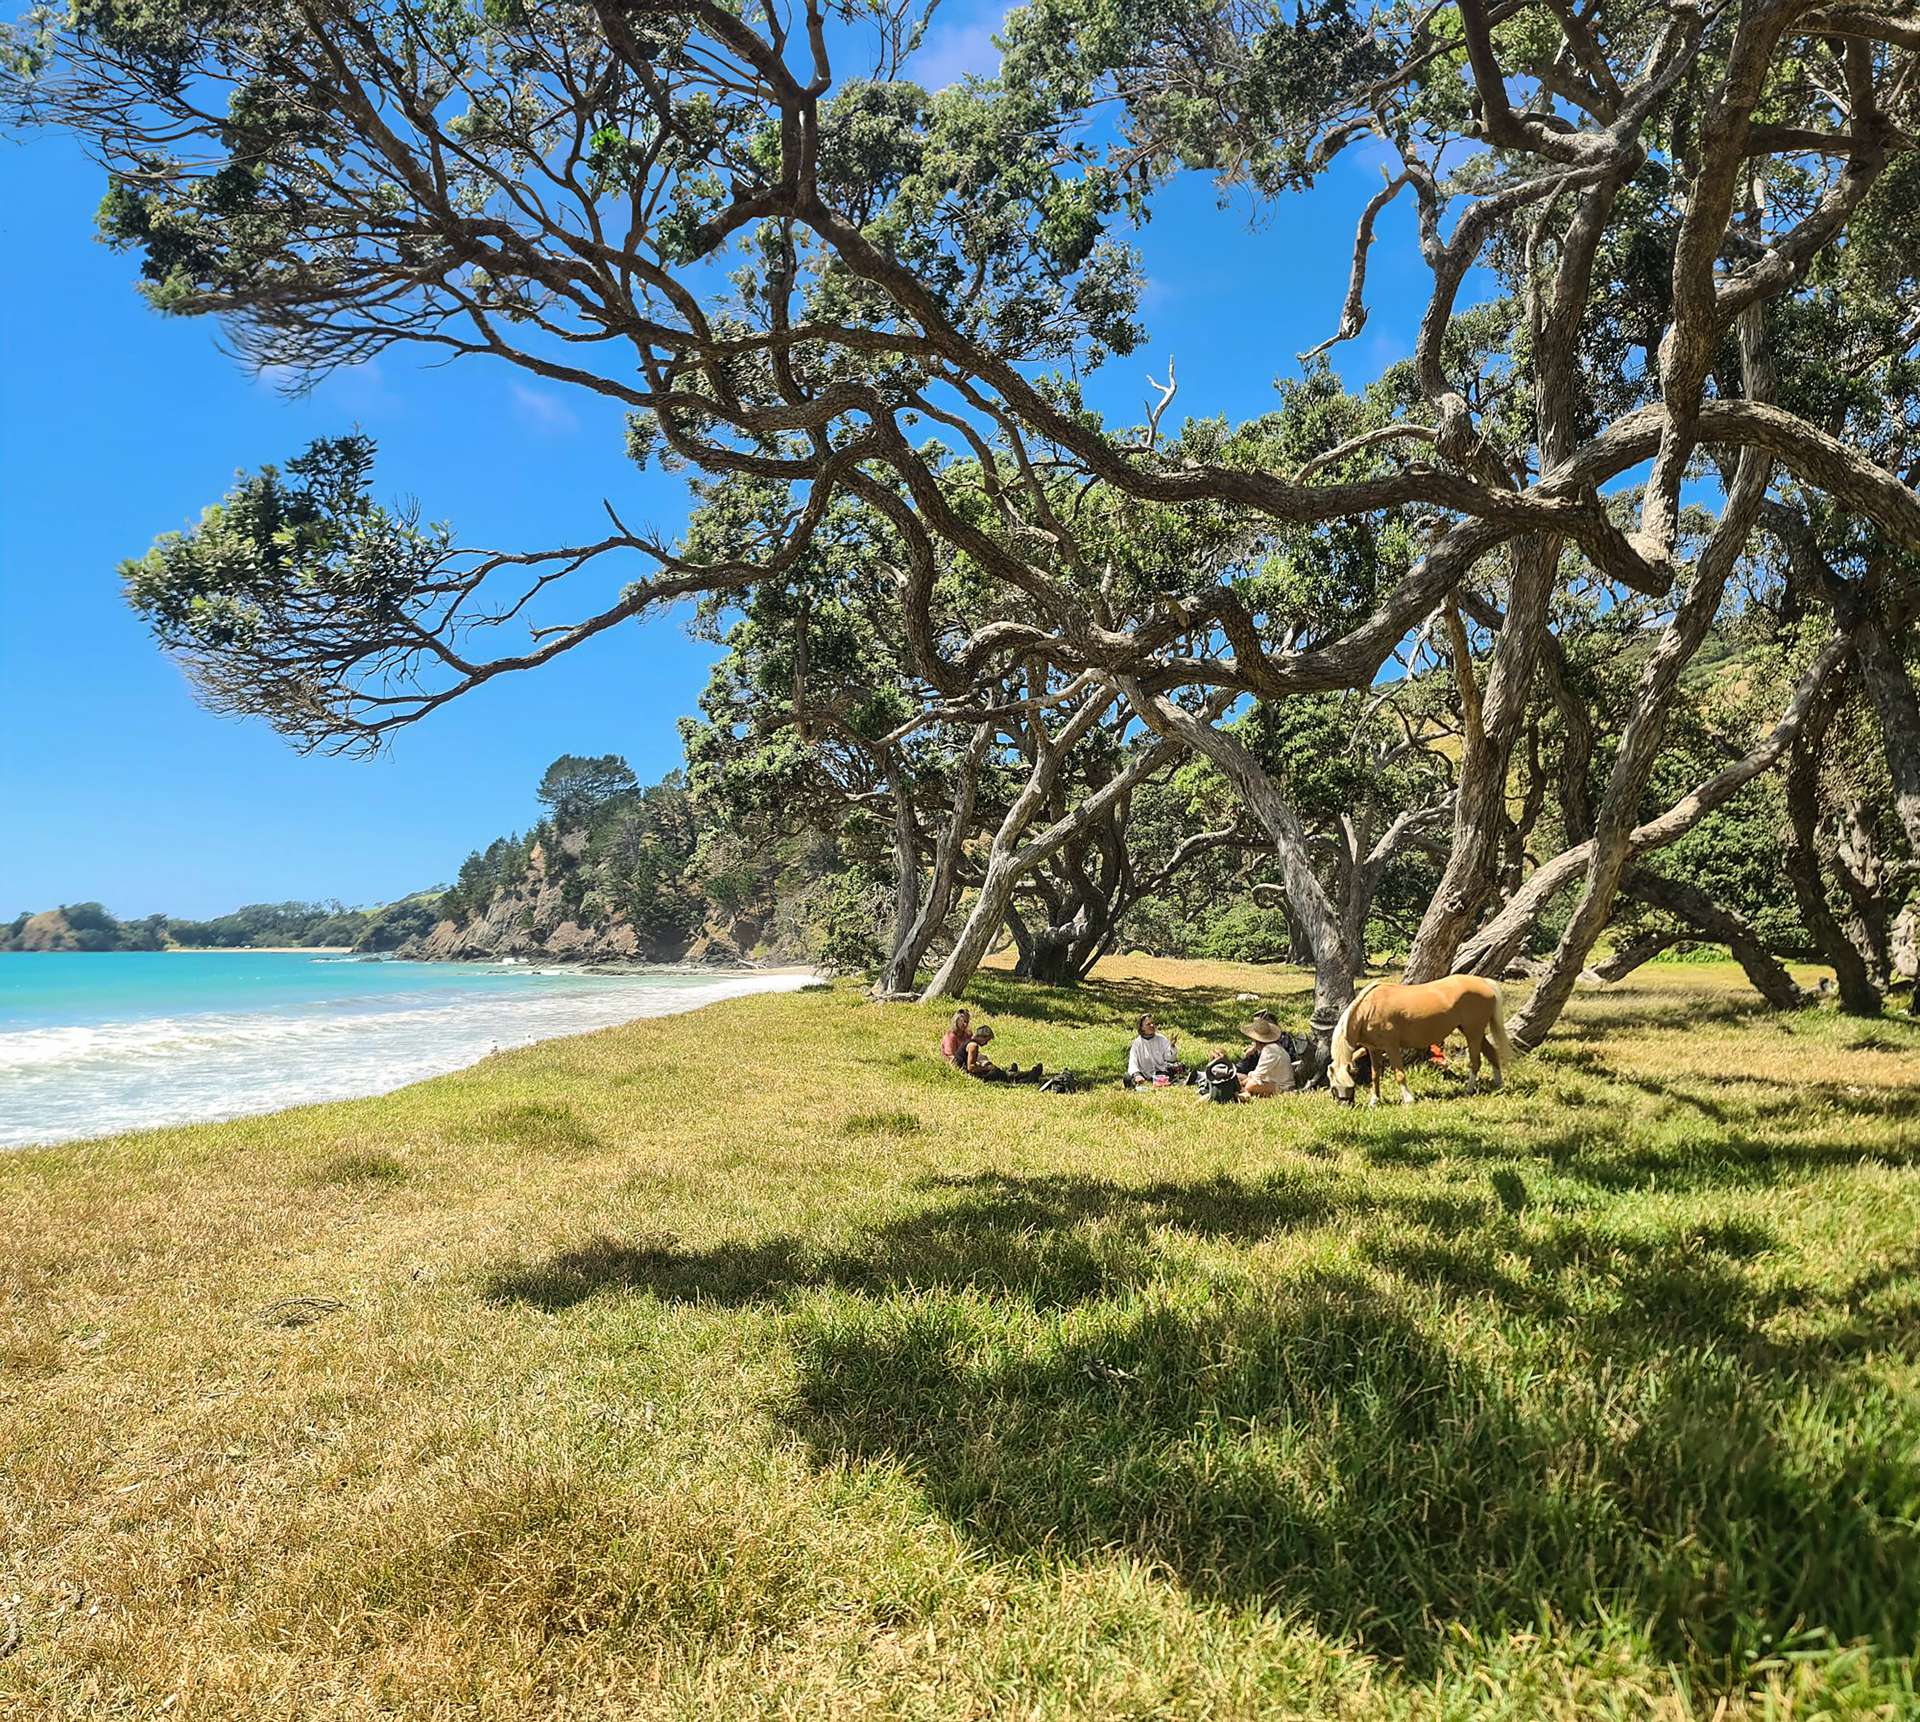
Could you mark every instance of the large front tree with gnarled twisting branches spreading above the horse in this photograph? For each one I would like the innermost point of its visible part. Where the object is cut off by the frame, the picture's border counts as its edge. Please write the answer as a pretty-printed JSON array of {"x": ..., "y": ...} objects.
[{"x": 794, "y": 266}]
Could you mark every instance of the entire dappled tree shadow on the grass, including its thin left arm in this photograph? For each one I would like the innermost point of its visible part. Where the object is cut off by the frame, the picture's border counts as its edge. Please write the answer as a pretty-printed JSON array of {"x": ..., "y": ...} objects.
[{"x": 1314, "y": 1443}]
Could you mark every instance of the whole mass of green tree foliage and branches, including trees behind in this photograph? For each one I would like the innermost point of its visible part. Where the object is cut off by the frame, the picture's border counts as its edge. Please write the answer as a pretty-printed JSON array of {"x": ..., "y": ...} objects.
[{"x": 1664, "y": 387}]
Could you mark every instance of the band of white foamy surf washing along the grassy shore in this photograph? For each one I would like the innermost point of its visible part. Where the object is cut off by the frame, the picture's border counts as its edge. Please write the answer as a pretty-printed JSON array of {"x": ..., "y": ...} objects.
[{"x": 85, "y": 1080}]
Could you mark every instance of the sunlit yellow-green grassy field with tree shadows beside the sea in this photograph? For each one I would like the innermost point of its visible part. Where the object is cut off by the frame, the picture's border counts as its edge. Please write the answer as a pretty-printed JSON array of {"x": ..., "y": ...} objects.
[{"x": 587, "y": 1385}]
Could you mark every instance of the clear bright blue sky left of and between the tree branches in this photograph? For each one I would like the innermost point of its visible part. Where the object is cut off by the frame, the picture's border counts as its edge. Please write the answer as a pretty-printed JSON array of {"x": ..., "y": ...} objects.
[{"x": 118, "y": 425}]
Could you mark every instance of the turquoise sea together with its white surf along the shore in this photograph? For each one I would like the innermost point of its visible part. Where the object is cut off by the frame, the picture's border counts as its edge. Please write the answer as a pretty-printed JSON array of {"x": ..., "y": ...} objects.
[{"x": 110, "y": 1041}]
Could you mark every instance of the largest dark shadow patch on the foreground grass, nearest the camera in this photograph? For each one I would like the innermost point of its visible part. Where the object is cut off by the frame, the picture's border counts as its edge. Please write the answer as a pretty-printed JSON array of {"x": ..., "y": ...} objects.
[{"x": 1310, "y": 1448}]
